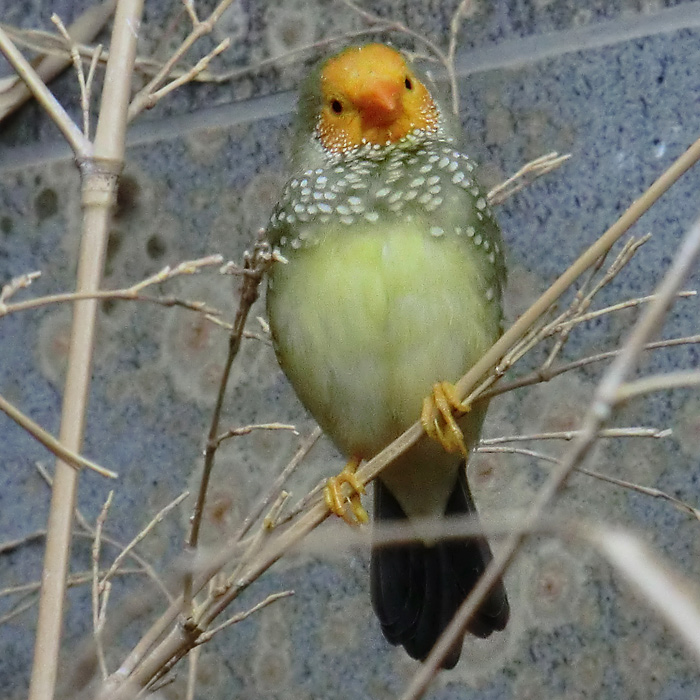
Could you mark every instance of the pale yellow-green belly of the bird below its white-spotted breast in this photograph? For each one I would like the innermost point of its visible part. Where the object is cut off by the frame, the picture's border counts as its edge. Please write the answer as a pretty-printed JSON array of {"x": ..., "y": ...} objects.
[{"x": 365, "y": 323}]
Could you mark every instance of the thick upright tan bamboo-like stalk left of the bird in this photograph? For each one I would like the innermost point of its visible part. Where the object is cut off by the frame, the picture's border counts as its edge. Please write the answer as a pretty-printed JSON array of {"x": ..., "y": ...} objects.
[{"x": 99, "y": 177}]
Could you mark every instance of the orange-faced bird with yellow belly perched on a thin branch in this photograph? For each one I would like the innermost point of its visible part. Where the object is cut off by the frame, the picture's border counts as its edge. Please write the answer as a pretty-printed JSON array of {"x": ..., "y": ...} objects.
[{"x": 386, "y": 287}]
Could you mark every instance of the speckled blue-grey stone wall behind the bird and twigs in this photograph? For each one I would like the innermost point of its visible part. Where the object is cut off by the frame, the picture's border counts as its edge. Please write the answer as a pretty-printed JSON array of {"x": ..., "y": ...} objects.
[{"x": 614, "y": 83}]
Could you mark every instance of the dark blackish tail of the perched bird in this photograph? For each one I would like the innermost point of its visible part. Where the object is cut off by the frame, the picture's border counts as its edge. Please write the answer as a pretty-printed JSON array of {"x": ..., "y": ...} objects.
[{"x": 416, "y": 589}]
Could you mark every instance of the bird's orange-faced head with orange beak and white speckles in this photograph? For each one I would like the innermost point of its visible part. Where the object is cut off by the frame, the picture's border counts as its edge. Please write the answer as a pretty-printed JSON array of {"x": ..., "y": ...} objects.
[{"x": 365, "y": 94}]
